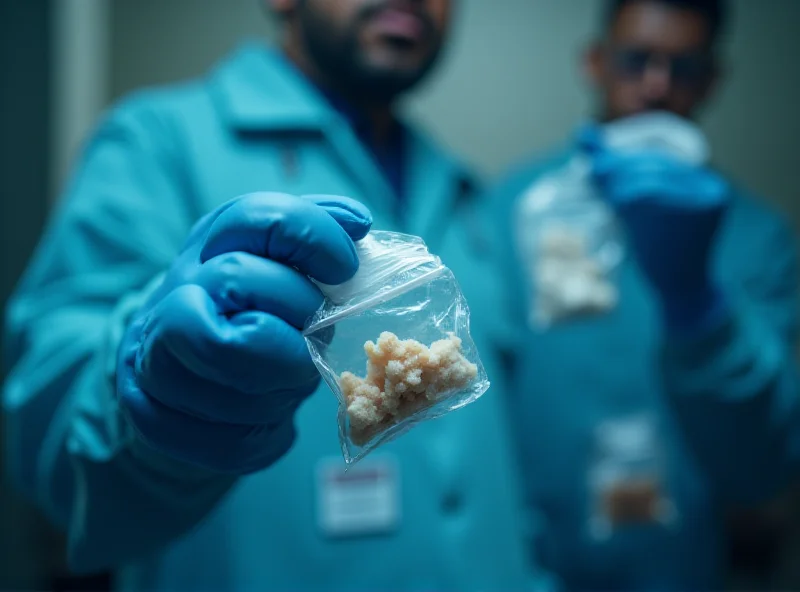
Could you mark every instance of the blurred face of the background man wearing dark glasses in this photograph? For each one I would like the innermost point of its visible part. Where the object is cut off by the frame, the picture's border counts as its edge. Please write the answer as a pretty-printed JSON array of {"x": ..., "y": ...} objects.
[{"x": 655, "y": 57}]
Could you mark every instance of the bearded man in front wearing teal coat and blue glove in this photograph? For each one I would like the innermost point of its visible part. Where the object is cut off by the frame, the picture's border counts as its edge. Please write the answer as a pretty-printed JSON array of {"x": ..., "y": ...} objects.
[{"x": 162, "y": 407}]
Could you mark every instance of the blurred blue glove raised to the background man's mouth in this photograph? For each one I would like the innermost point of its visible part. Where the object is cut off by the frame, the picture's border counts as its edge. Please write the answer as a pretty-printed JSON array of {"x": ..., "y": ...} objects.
[{"x": 671, "y": 211}]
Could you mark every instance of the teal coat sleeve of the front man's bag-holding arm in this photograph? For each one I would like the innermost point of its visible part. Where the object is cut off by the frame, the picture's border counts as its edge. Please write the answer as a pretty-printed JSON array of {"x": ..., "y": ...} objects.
[{"x": 123, "y": 219}]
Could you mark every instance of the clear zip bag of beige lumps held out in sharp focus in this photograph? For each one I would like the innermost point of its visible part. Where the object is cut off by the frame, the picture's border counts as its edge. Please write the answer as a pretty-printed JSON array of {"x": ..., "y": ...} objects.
[{"x": 394, "y": 343}]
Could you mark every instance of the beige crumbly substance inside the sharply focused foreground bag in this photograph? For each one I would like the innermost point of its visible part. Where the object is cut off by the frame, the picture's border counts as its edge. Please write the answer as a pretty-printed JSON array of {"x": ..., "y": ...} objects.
[{"x": 403, "y": 376}]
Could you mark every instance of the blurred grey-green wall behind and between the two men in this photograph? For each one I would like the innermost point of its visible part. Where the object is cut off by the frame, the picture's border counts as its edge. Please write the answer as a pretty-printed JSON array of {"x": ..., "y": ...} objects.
[{"x": 510, "y": 85}]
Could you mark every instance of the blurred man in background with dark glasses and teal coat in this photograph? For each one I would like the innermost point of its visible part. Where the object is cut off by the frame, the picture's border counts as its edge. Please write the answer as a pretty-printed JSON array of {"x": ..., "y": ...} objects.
[{"x": 679, "y": 400}]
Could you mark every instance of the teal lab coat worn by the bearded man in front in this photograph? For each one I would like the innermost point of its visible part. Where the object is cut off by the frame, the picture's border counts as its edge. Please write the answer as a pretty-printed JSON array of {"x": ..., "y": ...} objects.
[{"x": 158, "y": 161}]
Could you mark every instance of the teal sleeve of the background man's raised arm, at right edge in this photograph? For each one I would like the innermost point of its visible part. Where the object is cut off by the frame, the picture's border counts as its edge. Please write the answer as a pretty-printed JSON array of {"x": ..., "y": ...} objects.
[{"x": 735, "y": 390}]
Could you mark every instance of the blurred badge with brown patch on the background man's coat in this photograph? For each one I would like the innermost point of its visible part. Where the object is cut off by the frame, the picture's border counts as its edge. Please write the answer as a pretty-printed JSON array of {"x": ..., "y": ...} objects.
[{"x": 627, "y": 478}]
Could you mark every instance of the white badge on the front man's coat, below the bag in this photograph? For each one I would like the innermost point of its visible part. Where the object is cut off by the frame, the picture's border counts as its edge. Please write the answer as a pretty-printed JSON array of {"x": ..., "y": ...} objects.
[{"x": 363, "y": 501}]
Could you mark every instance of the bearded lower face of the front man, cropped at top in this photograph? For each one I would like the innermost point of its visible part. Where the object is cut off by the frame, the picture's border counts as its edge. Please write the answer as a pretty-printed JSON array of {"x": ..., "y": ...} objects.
[{"x": 376, "y": 49}]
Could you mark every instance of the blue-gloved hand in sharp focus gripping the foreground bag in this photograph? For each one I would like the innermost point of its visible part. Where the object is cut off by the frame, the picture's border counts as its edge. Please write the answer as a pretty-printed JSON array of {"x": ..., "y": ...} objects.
[{"x": 212, "y": 368}]
